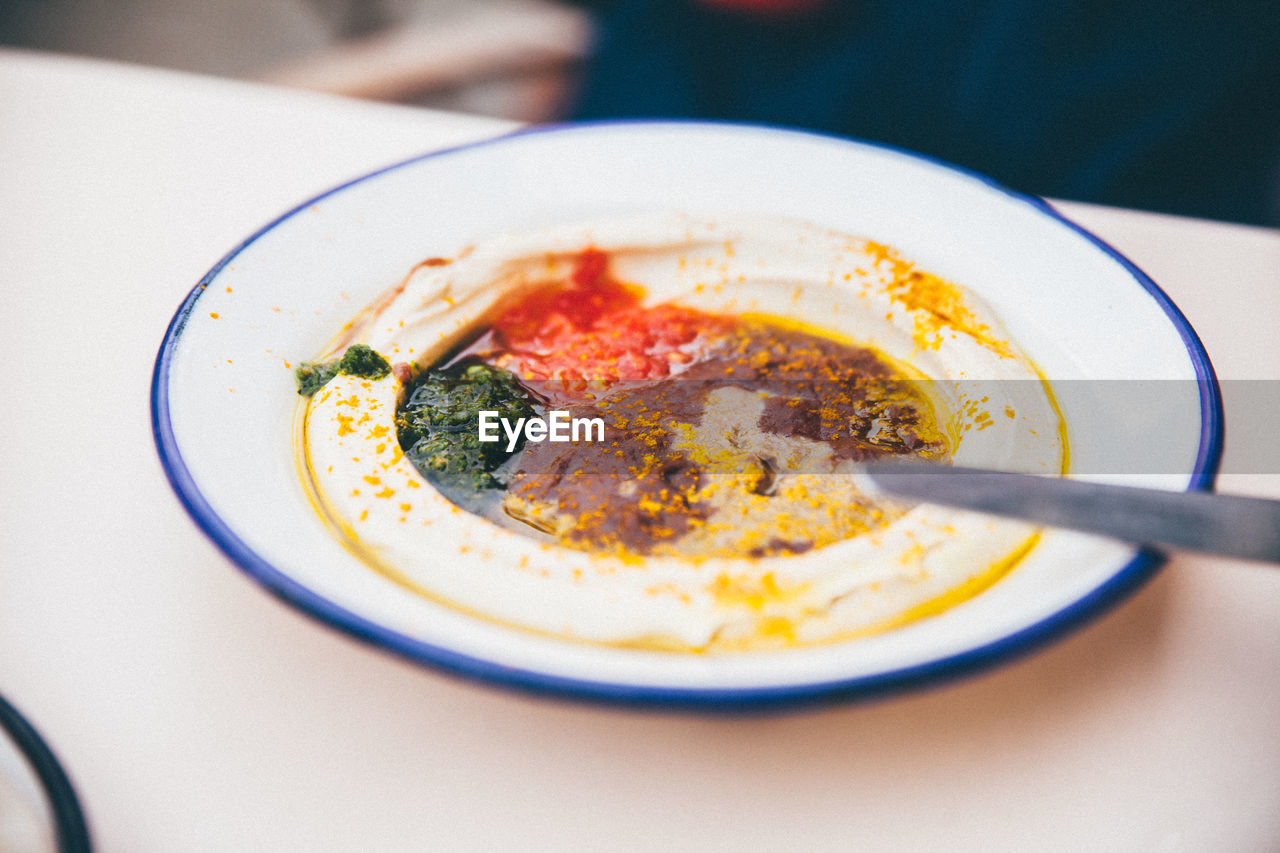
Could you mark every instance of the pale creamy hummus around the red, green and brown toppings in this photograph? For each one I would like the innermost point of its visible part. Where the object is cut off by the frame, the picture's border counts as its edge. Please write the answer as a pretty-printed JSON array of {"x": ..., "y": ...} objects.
[{"x": 848, "y": 565}]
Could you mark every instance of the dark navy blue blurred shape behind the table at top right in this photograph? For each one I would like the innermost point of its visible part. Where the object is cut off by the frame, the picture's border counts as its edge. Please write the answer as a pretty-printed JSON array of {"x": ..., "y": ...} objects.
[{"x": 1171, "y": 107}]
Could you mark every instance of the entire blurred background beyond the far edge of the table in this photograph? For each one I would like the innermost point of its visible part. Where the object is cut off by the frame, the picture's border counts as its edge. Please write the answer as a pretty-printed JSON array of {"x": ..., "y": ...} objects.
[{"x": 1171, "y": 107}]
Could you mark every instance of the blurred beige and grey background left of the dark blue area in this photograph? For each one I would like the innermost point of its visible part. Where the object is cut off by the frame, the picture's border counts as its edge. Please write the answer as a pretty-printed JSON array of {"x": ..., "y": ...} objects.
[{"x": 506, "y": 58}]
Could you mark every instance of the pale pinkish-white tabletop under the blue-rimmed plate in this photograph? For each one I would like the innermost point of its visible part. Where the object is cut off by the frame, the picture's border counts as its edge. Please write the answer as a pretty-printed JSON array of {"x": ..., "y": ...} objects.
[{"x": 196, "y": 713}]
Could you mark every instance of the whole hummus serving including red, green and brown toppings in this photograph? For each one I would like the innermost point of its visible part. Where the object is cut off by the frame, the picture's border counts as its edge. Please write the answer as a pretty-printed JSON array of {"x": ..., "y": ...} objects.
[{"x": 742, "y": 371}]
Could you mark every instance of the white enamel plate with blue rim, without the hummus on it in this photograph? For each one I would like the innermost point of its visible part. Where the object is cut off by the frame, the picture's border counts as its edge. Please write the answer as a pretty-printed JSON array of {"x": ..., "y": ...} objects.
[{"x": 225, "y": 399}]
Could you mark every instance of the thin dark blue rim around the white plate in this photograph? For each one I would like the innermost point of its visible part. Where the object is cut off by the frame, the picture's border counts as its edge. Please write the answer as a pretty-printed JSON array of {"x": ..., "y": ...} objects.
[{"x": 1117, "y": 589}]
